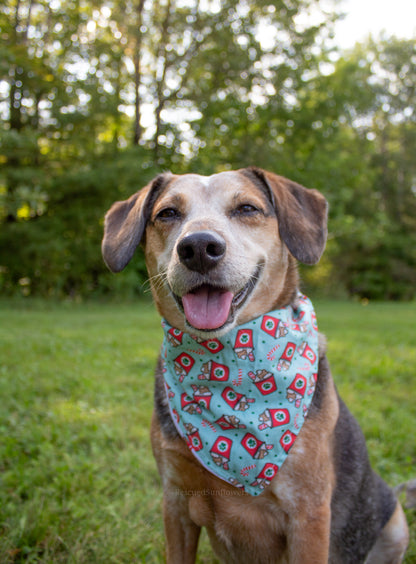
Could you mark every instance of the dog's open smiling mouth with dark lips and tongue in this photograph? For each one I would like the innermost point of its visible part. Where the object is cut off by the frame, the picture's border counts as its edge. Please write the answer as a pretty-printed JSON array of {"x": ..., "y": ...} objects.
[{"x": 208, "y": 307}]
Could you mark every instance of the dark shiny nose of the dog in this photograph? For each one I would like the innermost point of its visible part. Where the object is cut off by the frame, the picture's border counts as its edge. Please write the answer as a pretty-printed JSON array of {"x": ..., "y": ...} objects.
[{"x": 201, "y": 251}]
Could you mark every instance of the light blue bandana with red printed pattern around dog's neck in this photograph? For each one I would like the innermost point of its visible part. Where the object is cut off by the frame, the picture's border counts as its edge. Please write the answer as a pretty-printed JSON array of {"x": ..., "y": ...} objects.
[{"x": 240, "y": 401}]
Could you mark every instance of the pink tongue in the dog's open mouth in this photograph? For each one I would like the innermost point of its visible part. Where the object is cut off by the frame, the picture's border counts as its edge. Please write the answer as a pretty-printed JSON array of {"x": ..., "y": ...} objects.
[{"x": 207, "y": 308}]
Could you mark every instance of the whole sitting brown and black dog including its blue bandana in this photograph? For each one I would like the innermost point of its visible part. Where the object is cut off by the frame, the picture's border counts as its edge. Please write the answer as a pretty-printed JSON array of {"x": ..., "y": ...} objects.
[{"x": 221, "y": 253}]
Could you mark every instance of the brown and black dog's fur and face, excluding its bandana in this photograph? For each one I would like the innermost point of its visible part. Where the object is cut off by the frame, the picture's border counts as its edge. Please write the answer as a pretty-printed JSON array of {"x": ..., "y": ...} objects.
[{"x": 221, "y": 251}]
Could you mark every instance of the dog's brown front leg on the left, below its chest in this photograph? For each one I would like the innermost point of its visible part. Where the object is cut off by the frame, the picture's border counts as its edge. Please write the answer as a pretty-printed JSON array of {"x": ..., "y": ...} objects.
[{"x": 181, "y": 532}]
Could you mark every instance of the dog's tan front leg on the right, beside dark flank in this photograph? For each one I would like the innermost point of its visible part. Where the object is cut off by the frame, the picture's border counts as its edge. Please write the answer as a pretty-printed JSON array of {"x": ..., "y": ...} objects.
[{"x": 309, "y": 536}]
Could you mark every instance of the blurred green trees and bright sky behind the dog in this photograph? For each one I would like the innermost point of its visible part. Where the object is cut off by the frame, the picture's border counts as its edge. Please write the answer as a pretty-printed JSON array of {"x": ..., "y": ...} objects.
[{"x": 97, "y": 97}]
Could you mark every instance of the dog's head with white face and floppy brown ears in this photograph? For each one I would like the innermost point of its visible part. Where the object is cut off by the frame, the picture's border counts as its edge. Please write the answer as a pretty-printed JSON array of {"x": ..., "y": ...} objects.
[{"x": 220, "y": 250}]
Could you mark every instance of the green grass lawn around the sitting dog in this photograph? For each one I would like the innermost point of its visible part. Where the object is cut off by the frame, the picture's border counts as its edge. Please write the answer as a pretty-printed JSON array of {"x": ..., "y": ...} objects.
[{"x": 78, "y": 483}]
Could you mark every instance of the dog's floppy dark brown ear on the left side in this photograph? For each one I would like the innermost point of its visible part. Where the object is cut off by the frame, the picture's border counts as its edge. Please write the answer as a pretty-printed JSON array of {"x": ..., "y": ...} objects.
[{"x": 125, "y": 224}]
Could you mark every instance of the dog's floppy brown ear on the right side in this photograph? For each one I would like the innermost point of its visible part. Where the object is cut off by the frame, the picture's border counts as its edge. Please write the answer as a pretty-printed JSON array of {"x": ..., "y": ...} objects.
[{"x": 301, "y": 214}]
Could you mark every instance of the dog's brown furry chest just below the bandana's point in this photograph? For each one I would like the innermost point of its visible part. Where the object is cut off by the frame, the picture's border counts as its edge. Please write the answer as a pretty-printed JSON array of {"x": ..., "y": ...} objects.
[{"x": 242, "y": 528}]
